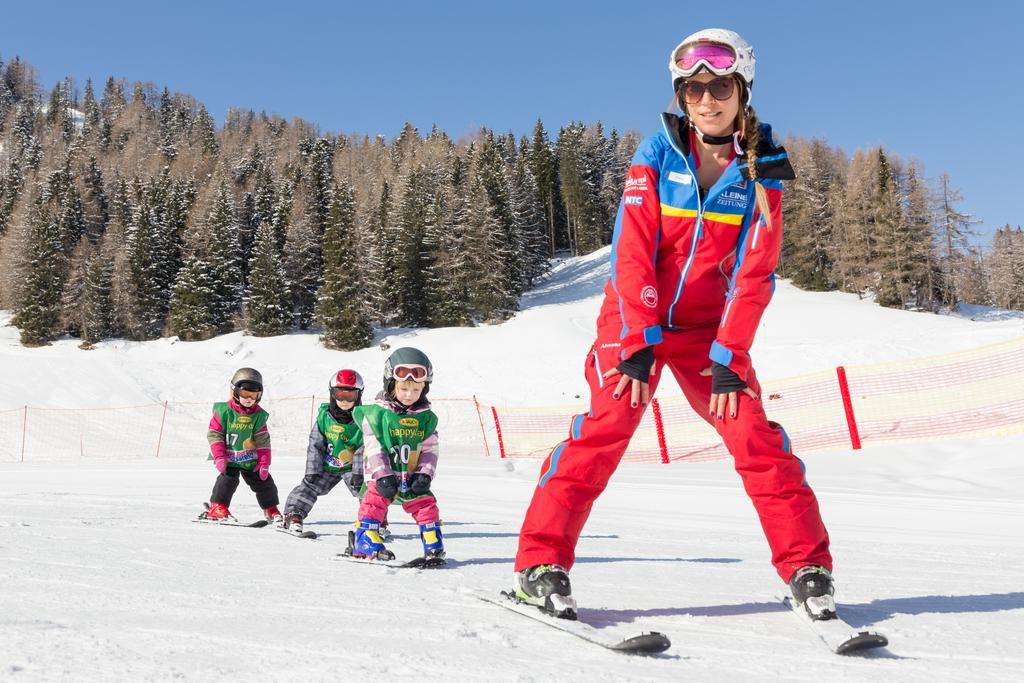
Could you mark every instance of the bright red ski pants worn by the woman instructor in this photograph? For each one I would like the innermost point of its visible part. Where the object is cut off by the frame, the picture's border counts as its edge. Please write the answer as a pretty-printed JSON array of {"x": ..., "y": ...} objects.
[{"x": 579, "y": 468}]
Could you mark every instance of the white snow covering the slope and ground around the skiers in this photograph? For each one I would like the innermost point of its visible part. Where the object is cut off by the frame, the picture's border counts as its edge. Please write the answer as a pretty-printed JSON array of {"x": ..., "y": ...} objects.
[{"x": 104, "y": 578}]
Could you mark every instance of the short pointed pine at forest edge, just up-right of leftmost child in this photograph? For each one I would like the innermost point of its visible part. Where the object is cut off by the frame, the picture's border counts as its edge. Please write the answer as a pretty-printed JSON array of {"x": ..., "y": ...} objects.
[{"x": 269, "y": 309}]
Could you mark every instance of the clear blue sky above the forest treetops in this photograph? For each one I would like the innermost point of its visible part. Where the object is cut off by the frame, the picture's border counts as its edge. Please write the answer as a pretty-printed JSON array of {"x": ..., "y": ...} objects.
[{"x": 940, "y": 88}]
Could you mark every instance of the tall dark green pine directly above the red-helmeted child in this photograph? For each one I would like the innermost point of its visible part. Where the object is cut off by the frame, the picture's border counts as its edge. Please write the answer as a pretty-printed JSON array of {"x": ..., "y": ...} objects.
[{"x": 340, "y": 312}]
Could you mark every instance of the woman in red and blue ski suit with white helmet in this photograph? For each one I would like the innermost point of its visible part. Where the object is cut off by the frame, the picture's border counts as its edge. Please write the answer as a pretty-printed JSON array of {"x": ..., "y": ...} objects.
[{"x": 694, "y": 251}]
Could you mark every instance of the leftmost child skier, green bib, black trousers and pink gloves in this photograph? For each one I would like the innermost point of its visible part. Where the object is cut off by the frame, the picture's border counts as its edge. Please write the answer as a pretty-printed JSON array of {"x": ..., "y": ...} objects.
[{"x": 240, "y": 445}]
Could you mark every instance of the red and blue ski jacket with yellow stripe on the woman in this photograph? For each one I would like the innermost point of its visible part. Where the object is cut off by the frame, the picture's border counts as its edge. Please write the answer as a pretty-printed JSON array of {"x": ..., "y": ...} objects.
[{"x": 680, "y": 262}]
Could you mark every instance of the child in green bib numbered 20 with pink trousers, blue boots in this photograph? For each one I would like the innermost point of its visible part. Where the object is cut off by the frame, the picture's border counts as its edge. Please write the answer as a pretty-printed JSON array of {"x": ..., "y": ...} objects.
[{"x": 400, "y": 434}]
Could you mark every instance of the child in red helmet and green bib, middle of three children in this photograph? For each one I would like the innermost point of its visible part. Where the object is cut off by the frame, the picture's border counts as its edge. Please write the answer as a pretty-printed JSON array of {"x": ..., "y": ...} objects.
[{"x": 335, "y": 451}]
